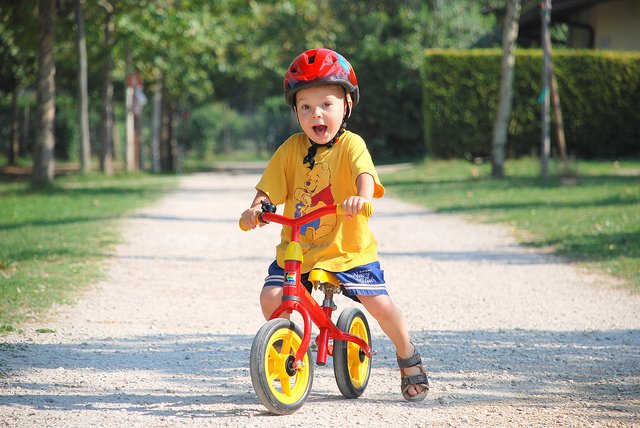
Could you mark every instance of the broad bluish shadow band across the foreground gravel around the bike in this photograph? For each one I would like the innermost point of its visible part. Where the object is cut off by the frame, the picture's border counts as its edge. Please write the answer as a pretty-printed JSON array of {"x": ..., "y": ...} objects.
[{"x": 187, "y": 375}]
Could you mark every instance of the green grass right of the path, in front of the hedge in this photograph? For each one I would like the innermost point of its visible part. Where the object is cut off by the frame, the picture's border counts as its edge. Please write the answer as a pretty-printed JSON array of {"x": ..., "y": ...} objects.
[{"x": 592, "y": 217}]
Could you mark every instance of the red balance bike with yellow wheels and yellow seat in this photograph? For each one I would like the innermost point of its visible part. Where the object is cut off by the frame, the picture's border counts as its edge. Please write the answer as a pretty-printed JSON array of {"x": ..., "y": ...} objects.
[{"x": 281, "y": 361}]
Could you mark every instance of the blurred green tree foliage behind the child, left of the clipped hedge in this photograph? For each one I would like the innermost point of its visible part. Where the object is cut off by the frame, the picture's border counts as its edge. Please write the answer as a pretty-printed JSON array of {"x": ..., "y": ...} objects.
[{"x": 233, "y": 53}]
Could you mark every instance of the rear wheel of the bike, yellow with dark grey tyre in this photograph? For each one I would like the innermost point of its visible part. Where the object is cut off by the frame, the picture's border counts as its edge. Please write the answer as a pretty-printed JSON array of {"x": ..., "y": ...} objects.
[{"x": 350, "y": 364}]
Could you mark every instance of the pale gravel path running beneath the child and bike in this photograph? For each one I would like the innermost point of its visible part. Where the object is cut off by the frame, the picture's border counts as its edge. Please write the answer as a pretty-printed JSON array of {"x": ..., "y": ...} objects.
[{"x": 512, "y": 337}]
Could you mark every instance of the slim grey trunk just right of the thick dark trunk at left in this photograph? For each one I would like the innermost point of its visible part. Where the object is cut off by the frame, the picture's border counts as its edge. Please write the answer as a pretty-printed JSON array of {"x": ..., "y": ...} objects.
[{"x": 83, "y": 93}]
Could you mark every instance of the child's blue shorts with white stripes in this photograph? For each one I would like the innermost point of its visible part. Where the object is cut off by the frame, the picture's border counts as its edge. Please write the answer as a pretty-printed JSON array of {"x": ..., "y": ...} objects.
[{"x": 365, "y": 280}]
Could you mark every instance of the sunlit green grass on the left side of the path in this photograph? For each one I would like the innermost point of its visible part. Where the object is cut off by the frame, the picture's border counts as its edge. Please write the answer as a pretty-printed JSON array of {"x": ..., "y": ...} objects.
[{"x": 53, "y": 242}]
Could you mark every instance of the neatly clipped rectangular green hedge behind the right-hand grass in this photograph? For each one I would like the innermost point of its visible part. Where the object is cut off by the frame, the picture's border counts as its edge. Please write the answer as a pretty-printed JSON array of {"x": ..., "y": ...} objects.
[{"x": 599, "y": 93}]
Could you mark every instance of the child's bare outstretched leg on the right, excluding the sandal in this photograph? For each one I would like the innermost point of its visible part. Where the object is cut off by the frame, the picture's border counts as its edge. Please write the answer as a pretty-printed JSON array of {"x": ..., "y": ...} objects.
[{"x": 395, "y": 327}]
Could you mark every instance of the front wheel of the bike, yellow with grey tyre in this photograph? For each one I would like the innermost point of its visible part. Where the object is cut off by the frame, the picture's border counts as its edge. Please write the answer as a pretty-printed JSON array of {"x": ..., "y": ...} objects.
[{"x": 280, "y": 387}]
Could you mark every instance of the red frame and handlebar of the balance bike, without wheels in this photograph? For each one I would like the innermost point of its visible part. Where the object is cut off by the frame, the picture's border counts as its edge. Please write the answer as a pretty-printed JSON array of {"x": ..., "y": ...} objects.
[{"x": 295, "y": 296}]
